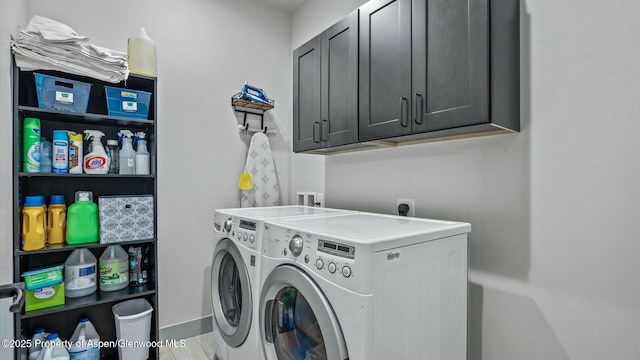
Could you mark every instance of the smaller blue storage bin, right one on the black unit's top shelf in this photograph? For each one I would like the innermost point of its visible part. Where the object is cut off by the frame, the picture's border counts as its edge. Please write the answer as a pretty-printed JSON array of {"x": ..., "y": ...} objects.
[{"x": 127, "y": 103}]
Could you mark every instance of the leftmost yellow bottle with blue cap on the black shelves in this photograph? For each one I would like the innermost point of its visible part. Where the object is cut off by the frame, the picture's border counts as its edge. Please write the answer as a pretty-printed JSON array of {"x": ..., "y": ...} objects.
[{"x": 33, "y": 224}]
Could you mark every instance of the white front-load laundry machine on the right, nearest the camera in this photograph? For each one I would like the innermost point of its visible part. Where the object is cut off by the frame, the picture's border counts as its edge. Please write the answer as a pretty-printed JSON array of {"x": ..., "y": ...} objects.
[{"x": 364, "y": 286}]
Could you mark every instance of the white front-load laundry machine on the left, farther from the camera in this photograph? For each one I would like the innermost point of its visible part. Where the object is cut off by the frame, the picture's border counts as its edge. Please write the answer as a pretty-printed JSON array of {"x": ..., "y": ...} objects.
[{"x": 235, "y": 275}]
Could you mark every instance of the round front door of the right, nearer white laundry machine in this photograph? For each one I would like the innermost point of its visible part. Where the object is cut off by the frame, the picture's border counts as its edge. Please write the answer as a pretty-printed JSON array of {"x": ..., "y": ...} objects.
[{"x": 296, "y": 320}]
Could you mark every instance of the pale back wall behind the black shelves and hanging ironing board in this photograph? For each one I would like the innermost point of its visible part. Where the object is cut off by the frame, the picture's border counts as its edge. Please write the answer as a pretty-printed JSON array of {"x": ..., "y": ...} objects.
[{"x": 206, "y": 49}]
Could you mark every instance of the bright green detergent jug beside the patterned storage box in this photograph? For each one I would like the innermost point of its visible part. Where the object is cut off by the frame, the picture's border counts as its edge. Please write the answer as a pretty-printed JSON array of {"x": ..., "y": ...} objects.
[{"x": 82, "y": 220}]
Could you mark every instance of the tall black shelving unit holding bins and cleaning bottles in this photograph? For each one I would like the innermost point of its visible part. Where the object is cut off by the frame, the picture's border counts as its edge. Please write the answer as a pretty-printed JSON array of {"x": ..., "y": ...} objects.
[{"x": 63, "y": 319}]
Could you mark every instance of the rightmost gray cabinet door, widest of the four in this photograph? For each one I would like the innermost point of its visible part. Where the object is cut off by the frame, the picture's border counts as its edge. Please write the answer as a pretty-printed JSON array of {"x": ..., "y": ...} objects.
[{"x": 450, "y": 64}]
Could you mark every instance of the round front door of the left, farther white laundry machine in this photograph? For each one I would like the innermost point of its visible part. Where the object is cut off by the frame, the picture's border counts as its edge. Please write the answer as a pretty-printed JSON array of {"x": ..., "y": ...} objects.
[{"x": 231, "y": 293}]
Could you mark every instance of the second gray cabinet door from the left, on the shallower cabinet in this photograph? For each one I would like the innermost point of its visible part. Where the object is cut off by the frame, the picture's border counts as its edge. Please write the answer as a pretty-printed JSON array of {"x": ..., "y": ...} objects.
[{"x": 340, "y": 82}]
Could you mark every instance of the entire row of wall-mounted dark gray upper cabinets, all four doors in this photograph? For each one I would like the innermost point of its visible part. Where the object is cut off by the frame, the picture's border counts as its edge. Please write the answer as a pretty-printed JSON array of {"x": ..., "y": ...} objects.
[{"x": 424, "y": 69}]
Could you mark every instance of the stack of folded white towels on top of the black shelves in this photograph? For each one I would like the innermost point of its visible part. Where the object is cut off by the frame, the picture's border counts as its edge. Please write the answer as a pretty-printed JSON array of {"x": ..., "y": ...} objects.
[{"x": 46, "y": 44}]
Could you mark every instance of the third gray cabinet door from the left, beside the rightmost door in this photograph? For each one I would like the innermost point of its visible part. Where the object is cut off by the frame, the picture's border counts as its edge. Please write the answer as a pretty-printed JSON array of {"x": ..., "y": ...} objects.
[{"x": 385, "y": 69}]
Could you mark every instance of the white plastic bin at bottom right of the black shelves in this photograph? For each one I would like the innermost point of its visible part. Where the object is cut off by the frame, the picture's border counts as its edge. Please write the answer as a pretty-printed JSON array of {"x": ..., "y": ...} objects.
[{"x": 133, "y": 324}]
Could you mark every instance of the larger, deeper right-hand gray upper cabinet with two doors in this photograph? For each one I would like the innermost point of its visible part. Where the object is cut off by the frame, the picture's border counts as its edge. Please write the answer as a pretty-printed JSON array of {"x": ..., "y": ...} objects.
[{"x": 438, "y": 68}]
